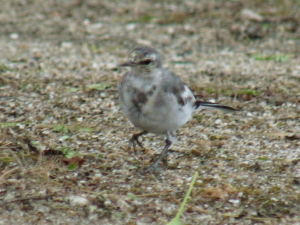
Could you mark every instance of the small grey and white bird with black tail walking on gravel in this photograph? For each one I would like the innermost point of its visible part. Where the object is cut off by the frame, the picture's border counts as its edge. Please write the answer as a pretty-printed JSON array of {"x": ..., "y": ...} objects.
[{"x": 155, "y": 100}]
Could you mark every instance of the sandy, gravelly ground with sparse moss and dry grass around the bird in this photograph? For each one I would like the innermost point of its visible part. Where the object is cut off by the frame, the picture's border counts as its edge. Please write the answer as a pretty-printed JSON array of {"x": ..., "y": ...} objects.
[{"x": 64, "y": 151}]
